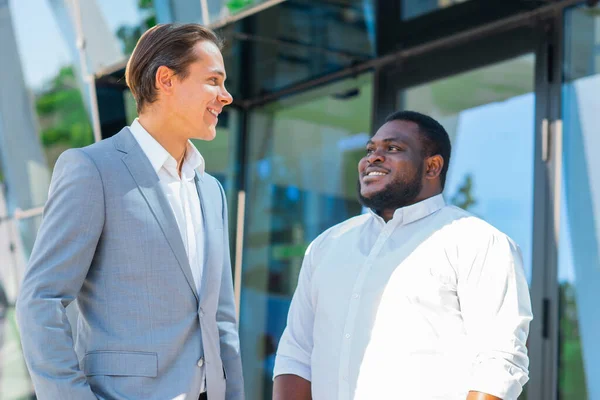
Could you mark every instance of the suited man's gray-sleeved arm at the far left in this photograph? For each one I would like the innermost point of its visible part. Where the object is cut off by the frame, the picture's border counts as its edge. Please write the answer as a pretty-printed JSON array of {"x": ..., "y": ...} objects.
[{"x": 60, "y": 260}]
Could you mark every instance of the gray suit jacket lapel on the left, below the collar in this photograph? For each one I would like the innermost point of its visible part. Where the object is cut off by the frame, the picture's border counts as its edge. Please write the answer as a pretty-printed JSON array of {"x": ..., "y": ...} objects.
[{"x": 145, "y": 177}]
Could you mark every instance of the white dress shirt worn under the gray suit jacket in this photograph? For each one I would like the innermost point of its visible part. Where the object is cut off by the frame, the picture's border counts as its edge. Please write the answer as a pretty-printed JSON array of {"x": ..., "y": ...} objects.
[{"x": 182, "y": 194}]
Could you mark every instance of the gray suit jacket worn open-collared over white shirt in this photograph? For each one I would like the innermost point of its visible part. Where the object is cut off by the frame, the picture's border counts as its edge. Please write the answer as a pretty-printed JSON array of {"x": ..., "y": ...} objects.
[{"x": 110, "y": 241}]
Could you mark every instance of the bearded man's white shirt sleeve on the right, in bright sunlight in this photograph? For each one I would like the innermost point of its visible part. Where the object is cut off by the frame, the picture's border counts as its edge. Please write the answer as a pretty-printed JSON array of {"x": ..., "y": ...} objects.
[{"x": 496, "y": 309}]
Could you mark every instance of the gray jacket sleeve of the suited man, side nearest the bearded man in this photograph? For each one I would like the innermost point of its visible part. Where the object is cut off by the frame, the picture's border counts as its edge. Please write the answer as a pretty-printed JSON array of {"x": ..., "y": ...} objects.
[{"x": 227, "y": 321}]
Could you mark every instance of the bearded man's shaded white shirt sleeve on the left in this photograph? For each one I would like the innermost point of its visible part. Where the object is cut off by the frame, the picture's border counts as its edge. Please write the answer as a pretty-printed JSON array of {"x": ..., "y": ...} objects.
[{"x": 296, "y": 344}]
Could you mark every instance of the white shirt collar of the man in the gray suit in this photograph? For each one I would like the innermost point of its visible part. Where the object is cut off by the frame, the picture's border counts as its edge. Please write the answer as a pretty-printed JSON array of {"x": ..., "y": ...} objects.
[{"x": 160, "y": 157}]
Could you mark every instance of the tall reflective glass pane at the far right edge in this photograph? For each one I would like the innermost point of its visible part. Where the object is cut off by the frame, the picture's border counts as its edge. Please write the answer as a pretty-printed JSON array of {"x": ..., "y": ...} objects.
[{"x": 579, "y": 259}]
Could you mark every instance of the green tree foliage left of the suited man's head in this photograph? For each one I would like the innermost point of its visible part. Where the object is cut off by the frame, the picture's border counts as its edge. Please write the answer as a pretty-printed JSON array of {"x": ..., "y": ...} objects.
[{"x": 62, "y": 113}]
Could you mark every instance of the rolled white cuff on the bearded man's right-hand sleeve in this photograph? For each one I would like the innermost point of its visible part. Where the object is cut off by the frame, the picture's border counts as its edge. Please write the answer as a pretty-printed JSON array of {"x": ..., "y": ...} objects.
[{"x": 498, "y": 378}]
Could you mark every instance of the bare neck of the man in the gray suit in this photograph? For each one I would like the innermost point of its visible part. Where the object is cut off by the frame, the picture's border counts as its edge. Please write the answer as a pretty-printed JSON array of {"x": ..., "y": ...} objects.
[{"x": 167, "y": 135}]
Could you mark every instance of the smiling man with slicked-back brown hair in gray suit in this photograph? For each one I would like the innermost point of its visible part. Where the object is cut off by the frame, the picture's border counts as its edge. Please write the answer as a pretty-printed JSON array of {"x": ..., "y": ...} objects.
[{"x": 135, "y": 232}]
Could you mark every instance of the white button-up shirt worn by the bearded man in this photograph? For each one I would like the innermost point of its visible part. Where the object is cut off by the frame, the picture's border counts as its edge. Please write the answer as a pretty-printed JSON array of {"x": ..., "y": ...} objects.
[{"x": 430, "y": 305}]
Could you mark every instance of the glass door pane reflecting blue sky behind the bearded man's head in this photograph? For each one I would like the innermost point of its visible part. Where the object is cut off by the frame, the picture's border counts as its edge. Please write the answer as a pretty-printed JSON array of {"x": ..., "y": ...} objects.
[{"x": 489, "y": 114}]
